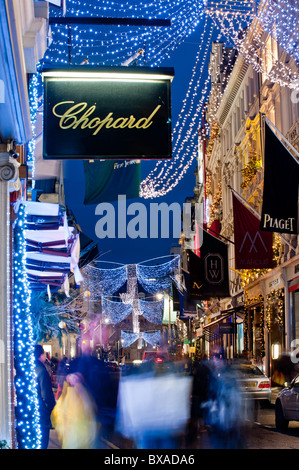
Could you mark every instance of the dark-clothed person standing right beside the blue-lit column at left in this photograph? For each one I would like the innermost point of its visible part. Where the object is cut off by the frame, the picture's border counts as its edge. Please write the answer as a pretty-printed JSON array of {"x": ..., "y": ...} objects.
[{"x": 45, "y": 394}]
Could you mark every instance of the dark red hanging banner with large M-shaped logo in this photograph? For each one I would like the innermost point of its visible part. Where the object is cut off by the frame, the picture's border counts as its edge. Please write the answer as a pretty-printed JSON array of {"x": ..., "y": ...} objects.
[{"x": 253, "y": 248}]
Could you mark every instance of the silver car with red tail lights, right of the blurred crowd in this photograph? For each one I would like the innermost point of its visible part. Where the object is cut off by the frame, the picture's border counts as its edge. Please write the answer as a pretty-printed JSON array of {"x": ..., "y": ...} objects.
[{"x": 254, "y": 384}]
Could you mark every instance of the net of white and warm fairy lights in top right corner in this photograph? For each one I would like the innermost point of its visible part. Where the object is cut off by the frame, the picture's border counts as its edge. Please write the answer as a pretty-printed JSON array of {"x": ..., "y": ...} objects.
[{"x": 273, "y": 24}]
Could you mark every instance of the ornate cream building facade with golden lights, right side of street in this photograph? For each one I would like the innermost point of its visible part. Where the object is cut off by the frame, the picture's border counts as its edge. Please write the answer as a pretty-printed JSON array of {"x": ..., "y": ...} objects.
[{"x": 265, "y": 301}]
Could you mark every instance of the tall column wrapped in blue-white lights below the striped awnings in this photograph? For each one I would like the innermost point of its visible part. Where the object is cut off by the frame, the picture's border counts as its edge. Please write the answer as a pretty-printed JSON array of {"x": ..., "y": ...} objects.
[{"x": 27, "y": 409}]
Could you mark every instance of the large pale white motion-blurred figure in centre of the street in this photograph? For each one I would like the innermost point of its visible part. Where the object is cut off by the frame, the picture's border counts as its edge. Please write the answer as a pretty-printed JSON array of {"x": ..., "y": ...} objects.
[{"x": 153, "y": 406}]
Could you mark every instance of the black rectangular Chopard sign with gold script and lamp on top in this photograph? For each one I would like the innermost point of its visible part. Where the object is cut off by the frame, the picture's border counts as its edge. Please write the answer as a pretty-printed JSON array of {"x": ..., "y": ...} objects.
[{"x": 115, "y": 113}]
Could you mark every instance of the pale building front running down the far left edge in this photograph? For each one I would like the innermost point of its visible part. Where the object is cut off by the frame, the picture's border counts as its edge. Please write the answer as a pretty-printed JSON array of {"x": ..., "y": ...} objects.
[{"x": 23, "y": 41}]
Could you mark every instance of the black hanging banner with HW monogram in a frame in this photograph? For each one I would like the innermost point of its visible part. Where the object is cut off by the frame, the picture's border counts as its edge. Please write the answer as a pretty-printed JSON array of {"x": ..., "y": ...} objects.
[{"x": 209, "y": 273}]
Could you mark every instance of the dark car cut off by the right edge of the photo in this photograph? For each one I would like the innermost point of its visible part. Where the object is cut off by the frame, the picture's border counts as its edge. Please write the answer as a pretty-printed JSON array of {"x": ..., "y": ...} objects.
[{"x": 286, "y": 405}]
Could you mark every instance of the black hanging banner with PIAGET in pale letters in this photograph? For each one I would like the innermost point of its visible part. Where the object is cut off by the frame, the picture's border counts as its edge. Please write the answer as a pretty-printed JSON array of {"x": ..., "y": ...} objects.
[{"x": 281, "y": 179}]
